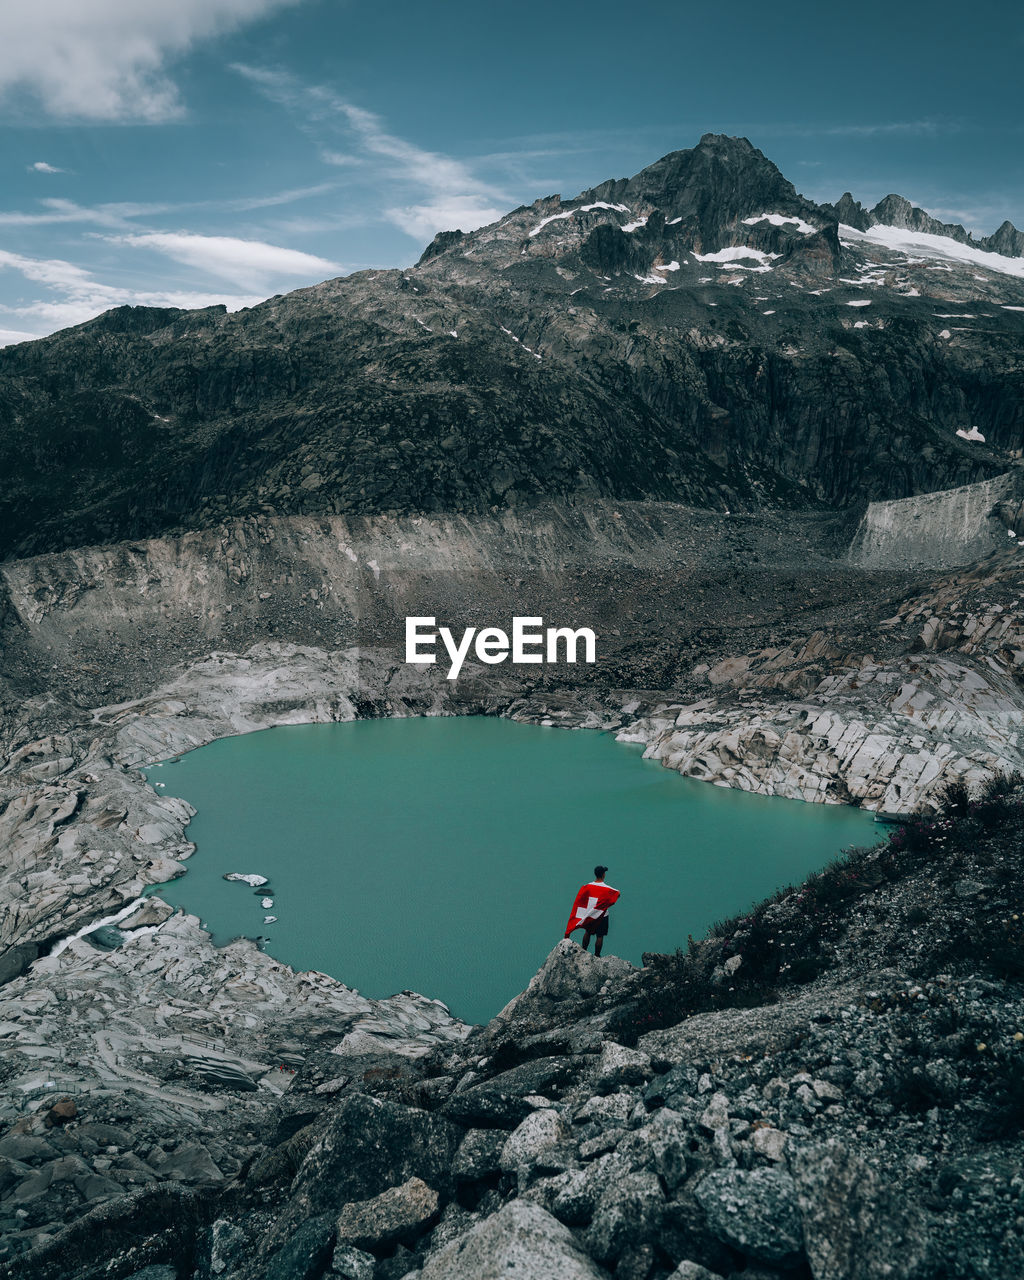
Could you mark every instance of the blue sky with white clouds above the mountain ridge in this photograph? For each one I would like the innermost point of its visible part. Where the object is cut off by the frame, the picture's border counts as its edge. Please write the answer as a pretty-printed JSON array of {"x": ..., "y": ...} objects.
[{"x": 184, "y": 153}]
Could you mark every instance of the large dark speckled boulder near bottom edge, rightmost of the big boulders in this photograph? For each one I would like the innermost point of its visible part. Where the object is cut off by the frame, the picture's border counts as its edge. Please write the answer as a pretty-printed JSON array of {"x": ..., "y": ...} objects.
[{"x": 756, "y": 1213}]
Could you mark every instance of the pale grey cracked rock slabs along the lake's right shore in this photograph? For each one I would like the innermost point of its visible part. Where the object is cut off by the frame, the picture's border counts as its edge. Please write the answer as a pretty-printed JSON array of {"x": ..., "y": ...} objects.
[{"x": 883, "y": 737}]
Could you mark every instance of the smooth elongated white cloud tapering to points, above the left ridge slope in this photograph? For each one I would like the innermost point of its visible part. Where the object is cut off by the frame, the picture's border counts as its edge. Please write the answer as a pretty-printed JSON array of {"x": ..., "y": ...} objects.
[{"x": 249, "y": 264}]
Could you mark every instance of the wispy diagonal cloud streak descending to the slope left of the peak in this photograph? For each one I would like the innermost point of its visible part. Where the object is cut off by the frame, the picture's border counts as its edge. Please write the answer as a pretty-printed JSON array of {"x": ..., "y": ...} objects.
[{"x": 445, "y": 193}]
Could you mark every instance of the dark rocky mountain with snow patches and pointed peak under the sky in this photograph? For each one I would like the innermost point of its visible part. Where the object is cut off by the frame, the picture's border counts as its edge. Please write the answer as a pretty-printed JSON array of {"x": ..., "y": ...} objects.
[{"x": 698, "y": 333}]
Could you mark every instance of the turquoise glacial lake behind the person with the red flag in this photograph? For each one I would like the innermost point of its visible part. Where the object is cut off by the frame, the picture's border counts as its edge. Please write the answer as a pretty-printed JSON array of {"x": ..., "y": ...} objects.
[{"x": 444, "y": 854}]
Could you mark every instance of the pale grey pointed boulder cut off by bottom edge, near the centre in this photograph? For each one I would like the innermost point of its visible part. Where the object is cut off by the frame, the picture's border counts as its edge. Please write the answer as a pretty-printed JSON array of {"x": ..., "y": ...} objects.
[{"x": 520, "y": 1242}]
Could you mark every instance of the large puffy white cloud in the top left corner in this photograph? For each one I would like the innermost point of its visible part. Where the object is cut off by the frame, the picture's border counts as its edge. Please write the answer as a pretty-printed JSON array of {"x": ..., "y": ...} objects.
[{"x": 107, "y": 60}]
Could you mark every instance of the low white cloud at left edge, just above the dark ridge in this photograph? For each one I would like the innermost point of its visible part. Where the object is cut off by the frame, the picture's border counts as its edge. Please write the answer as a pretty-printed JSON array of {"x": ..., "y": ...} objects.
[{"x": 77, "y": 298}]
